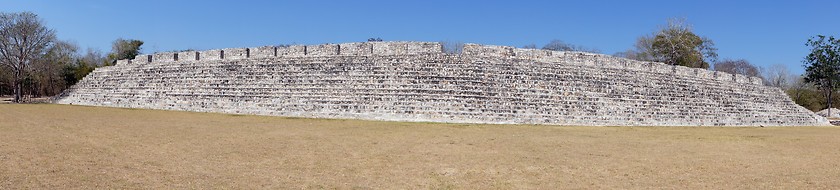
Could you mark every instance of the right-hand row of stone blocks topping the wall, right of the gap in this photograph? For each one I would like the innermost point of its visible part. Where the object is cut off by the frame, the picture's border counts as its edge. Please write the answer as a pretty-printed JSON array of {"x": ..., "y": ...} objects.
[{"x": 604, "y": 61}]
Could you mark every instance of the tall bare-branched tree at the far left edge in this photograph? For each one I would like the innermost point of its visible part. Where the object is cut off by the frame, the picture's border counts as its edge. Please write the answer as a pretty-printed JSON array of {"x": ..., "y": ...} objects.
[{"x": 23, "y": 37}]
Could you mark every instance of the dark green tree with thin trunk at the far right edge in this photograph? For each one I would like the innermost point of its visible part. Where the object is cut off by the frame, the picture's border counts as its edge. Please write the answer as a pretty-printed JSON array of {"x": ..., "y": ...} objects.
[{"x": 822, "y": 65}]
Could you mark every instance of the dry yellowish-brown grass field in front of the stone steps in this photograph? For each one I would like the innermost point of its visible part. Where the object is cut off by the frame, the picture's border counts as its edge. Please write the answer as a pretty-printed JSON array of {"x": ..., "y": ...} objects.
[{"x": 60, "y": 146}]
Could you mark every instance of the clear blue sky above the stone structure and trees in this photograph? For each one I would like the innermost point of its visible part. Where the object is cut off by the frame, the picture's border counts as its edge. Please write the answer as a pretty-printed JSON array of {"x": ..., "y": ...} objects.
[{"x": 763, "y": 32}]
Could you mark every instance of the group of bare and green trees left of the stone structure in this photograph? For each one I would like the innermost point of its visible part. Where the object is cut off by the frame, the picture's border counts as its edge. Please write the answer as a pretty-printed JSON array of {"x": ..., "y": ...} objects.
[{"x": 34, "y": 63}]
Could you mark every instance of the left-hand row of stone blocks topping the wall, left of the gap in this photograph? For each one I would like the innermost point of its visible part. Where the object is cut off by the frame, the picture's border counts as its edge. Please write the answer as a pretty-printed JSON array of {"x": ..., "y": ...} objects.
[{"x": 345, "y": 49}]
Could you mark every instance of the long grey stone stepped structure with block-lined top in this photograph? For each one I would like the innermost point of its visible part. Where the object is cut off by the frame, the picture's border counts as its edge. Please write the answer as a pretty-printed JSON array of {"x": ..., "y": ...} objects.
[{"x": 417, "y": 81}]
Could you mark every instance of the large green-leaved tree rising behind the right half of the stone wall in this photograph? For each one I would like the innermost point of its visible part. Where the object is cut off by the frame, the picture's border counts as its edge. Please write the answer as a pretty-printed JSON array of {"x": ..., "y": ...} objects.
[{"x": 675, "y": 44}]
